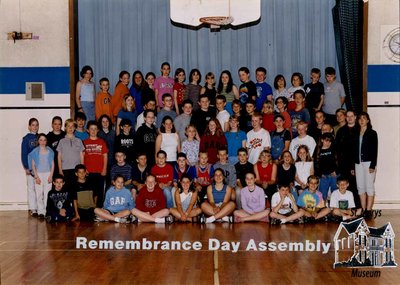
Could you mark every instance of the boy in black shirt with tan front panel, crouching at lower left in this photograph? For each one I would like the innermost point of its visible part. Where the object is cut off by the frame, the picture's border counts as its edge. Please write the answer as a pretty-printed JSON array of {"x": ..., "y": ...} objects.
[{"x": 83, "y": 195}]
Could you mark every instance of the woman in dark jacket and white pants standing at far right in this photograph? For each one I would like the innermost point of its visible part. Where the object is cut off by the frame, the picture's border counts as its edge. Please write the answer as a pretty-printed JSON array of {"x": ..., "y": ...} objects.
[{"x": 365, "y": 158}]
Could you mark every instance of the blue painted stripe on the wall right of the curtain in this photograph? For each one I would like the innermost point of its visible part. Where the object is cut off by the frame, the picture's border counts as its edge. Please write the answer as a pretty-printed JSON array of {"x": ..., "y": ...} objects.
[{"x": 384, "y": 78}]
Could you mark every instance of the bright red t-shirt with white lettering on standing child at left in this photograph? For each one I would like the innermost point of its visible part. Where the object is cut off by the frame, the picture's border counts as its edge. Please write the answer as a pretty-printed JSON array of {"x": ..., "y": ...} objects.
[{"x": 94, "y": 154}]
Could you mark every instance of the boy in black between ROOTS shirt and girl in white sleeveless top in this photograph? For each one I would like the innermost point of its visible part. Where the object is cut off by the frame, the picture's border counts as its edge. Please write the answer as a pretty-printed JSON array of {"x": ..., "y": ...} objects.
[{"x": 146, "y": 136}]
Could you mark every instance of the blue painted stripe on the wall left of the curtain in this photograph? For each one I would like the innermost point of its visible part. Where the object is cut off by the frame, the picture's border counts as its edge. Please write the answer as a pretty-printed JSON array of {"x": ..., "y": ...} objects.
[{"x": 12, "y": 79}]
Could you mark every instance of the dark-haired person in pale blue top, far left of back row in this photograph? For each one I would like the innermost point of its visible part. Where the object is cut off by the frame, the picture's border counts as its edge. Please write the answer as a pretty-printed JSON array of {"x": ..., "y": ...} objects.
[{"x": 85, "y": 93}]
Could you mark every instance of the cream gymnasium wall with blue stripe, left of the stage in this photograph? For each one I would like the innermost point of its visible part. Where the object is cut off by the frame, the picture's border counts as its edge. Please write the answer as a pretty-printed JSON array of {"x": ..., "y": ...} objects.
[{"x": 42, "y": 59}]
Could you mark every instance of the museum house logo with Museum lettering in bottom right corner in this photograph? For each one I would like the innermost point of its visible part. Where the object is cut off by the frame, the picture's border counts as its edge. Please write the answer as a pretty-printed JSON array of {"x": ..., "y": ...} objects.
[{"x": 359, "y": 246}]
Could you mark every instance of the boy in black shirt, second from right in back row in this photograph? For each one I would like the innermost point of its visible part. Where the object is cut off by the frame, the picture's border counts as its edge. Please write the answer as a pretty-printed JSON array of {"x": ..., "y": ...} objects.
[{"x": 314, "y": 92}]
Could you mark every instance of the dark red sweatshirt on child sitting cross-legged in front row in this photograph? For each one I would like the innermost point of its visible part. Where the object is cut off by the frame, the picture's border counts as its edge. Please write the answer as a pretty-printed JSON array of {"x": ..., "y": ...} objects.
[{"x": 151, "y": 202}]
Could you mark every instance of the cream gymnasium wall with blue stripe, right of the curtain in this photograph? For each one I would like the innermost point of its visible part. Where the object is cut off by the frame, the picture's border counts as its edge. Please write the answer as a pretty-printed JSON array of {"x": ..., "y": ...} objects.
[{"x": 384, "y": 100}]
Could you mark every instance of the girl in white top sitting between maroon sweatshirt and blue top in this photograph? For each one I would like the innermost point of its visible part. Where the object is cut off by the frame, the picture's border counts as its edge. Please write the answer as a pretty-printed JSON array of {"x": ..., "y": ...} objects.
[{"x": 186, "y": 201}]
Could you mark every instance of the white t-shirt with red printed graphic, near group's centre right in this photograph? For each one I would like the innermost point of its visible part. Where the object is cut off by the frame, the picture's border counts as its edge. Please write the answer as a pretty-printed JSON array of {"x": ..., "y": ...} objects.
[{"x": 256, "y": 142}]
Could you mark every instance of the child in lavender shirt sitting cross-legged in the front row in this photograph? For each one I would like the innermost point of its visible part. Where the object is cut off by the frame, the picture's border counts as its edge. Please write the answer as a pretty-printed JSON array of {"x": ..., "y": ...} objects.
[{"x": 253, "y": 202}]
